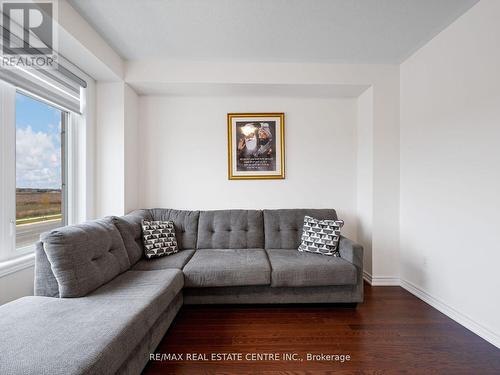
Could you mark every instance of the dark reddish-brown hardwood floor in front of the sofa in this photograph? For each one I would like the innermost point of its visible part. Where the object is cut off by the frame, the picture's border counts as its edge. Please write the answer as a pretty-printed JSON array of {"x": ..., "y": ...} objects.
[{"x": 392, "y": 332}]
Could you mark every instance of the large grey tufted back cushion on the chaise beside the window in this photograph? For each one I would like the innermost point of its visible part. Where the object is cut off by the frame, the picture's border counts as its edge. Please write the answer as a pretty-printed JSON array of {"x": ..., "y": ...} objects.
[{"x": 85, "y": 256}]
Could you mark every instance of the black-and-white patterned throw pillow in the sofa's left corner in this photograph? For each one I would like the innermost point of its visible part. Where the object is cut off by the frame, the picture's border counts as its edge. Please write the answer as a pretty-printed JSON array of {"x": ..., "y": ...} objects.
[{"x": 158, "y": 238}]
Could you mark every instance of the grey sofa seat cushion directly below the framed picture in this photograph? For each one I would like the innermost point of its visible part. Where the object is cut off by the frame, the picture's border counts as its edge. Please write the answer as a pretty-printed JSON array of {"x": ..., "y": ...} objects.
[{"x": 227, "y": 267}]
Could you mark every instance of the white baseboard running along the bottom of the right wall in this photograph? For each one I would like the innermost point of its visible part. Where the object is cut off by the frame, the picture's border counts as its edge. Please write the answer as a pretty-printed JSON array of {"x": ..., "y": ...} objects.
[{"x": 450, "y": 312}]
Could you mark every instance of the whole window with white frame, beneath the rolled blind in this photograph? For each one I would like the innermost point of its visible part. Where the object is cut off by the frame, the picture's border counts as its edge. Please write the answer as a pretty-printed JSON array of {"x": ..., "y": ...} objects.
[{"x": 43, "y": 166}]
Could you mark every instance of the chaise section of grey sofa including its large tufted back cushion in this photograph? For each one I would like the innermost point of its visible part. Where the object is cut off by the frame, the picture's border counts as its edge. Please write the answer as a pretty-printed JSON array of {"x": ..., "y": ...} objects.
[{"x": 107, "y": 318}]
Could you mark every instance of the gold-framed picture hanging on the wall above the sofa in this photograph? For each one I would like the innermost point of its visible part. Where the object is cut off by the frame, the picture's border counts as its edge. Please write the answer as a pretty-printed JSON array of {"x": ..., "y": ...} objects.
[{"x": 256, "y": 146}]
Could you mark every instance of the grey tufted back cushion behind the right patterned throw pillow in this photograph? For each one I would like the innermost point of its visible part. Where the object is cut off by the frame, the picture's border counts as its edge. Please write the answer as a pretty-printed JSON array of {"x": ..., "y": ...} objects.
[{"x": 283, "y": 228}]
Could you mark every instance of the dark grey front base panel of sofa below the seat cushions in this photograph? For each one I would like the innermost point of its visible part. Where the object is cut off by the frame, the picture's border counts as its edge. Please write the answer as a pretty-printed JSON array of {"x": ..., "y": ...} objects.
[{"x": 270, "y": 295}]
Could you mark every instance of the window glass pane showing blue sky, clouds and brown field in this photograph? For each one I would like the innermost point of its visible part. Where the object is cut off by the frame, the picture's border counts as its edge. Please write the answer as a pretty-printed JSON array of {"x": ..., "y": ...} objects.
[{"x": 40, "y": 169}]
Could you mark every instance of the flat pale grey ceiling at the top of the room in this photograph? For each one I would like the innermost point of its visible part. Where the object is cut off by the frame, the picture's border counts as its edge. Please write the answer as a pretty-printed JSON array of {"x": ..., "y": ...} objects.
[{"x": 347, "y": 31}]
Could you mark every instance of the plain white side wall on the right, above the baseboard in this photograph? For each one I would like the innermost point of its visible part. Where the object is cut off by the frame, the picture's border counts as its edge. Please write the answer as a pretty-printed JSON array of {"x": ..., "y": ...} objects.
[{"x": 450, "y": 179}]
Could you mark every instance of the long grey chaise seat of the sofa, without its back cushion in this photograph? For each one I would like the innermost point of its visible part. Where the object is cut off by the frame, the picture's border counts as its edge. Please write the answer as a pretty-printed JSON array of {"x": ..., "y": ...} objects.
[{"x": 90, "y": 335}]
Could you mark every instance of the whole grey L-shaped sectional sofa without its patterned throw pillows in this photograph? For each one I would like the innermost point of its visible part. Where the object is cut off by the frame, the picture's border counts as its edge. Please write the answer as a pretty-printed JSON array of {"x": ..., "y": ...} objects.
[{"x": 101, "y": 308}]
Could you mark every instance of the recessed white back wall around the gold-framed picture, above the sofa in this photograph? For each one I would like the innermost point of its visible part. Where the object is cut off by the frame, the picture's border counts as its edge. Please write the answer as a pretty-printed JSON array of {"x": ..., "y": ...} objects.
[{"x": 184, "y": 155}]
